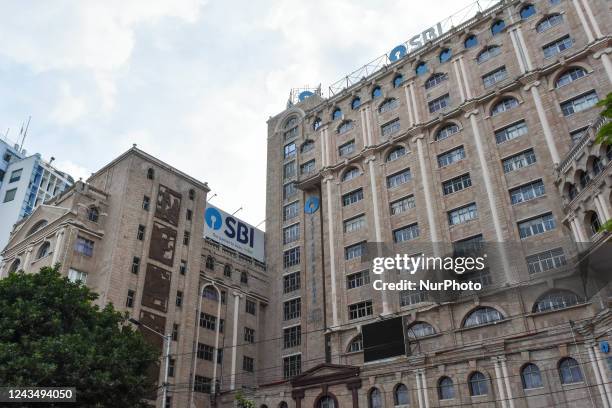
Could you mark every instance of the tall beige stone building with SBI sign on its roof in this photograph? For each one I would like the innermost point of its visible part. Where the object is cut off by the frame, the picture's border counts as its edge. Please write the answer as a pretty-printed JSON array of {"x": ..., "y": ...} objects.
[{"x": 484, "y": 136}]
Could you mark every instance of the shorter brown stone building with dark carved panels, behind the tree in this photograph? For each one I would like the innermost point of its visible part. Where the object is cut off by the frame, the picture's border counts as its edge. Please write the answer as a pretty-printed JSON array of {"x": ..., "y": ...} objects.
[{"x": 134, "y": 233}]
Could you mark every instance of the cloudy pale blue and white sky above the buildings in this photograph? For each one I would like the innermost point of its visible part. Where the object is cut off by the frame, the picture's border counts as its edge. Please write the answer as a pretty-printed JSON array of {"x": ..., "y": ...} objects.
[{"x": 191, "y": 82}]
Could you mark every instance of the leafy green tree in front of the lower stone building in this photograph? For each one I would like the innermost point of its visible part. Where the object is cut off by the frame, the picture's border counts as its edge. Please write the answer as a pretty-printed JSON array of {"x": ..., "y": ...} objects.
[{"x": 52, "y": 335}]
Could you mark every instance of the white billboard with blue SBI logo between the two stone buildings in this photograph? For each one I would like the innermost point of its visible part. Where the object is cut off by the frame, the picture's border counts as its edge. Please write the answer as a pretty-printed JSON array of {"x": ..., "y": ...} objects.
[{"x": 233, "y": 233}]
